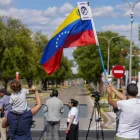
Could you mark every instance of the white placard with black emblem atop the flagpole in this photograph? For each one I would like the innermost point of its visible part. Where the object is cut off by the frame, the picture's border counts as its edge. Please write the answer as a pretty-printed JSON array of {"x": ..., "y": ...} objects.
[{"x": 84, "y": 10}]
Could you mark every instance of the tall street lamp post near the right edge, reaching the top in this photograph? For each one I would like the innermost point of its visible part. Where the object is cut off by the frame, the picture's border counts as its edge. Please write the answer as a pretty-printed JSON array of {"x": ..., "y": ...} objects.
[{"x": 130, "y": 62}]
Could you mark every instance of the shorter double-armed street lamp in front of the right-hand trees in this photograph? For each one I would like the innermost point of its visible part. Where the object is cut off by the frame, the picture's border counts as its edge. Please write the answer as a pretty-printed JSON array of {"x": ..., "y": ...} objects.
[{"x": 109, "y": 41}]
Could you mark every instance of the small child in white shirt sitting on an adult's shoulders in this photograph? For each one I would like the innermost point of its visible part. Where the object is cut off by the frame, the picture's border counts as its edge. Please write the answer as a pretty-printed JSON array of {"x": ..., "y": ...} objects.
[{"x": 18, "y": 98}]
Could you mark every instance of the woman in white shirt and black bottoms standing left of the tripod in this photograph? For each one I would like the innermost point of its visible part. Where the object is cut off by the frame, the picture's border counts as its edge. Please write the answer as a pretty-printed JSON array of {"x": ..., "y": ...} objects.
[{"x": 72, "y": 121}]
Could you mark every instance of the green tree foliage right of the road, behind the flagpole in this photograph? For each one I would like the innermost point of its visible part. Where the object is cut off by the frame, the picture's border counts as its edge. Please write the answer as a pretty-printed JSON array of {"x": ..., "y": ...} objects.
[{"x": 88, "y": 58}]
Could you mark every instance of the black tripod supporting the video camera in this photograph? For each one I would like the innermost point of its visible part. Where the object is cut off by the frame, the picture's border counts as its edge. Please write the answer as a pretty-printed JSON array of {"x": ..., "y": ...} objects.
[{"x": 96, "y": 108}]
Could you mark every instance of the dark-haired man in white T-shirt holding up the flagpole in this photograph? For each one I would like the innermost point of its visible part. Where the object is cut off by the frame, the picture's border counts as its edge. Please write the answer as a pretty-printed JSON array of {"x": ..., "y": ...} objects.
[{"x": 129, "y": 122}]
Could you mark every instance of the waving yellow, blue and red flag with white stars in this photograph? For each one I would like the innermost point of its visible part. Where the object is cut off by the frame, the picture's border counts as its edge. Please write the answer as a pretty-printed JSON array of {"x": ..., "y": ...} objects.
[{"x": 73, "y": 32}]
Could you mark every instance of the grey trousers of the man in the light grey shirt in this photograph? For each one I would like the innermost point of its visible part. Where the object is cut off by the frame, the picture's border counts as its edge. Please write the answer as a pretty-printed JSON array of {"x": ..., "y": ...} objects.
[{"x": 53, "y": 130}]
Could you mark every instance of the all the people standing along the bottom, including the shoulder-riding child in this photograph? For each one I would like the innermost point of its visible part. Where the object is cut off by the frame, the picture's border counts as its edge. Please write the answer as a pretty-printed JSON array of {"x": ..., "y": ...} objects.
[{"x": 17, "y": 116}]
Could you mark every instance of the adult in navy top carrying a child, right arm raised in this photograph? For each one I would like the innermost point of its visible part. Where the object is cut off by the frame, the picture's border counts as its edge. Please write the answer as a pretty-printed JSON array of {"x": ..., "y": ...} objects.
[{"x": 20, "y": 124}]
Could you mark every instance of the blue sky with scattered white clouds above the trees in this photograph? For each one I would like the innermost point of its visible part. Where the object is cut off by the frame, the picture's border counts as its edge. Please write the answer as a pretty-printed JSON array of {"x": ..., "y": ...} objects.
[{"x": 47, "y": 15}]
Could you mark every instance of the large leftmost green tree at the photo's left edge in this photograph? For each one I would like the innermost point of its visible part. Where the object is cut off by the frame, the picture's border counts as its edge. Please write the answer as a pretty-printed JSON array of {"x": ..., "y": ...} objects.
[{"x": 15, "y": 48}]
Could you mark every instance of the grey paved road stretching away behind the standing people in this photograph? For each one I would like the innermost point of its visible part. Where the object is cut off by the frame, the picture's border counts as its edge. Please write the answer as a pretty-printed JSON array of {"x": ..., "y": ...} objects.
[{"x": 79, "y": 93}]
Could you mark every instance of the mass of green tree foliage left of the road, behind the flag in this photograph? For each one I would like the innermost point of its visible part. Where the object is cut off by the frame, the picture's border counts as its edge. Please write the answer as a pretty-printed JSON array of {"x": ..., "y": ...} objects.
[{"x": 21, "y": 50}]
